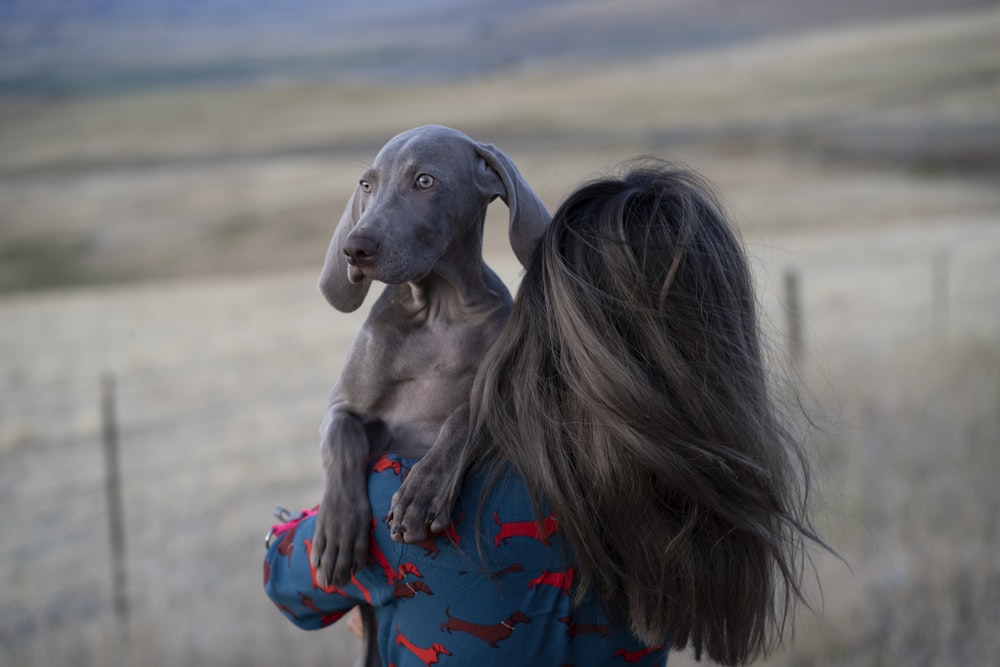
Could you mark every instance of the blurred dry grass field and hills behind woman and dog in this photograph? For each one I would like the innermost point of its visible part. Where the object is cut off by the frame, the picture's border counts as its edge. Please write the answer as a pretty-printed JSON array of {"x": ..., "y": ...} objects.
[{"x": 170, "y": 173}]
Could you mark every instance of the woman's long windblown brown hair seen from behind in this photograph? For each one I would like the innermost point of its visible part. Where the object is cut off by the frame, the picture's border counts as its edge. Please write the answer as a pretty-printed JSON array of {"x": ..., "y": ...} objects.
[{"x": 630, "y": 393}]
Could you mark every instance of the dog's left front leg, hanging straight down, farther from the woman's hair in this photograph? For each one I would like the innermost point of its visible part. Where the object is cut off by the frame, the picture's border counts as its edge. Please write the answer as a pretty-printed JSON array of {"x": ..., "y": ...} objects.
[{"x": 340, "y": 540}]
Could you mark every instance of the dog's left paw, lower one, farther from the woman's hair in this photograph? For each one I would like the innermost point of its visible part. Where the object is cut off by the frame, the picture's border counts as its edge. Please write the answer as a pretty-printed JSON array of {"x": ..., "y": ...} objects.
[{"x": 340, "y": 540}]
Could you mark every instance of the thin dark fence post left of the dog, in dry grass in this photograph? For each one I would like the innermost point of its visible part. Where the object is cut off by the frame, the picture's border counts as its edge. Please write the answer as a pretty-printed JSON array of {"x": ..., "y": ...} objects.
[{"x": 112, "y": 477}]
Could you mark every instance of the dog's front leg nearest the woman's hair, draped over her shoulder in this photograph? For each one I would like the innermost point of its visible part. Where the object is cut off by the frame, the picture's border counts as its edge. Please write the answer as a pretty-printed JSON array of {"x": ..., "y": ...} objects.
[{"x": 424, "y": 501}]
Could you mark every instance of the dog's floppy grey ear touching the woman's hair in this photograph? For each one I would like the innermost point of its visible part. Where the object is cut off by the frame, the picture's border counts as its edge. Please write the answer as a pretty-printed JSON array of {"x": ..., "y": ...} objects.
[{"x": 528, "y": 215}]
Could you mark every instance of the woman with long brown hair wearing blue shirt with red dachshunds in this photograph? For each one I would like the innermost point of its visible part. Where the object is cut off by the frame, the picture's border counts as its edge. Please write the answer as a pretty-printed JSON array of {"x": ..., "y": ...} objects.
[{"x": 624, "y": 424}]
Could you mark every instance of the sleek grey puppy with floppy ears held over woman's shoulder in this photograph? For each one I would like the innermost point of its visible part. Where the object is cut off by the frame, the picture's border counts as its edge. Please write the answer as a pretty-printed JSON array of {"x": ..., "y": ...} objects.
[{"x": 414, "y": 222}]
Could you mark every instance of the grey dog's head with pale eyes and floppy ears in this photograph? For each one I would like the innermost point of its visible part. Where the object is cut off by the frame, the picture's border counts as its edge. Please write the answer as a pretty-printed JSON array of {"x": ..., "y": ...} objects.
[{"x": 423, "y": 198}]
